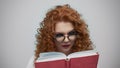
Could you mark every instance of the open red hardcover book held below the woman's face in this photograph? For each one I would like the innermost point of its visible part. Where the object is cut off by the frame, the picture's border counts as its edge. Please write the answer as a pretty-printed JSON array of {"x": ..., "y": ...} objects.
[{"x": 83, "y": 59}]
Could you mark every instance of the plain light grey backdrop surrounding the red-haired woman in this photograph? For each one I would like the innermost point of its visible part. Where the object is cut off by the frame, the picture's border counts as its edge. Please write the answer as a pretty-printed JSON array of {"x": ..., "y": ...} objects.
[{"x": 19, "y": 20}]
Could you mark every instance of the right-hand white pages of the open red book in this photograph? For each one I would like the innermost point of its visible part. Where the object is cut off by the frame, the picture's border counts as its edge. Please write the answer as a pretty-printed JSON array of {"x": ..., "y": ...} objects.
[{"x": 82, "y": 54}]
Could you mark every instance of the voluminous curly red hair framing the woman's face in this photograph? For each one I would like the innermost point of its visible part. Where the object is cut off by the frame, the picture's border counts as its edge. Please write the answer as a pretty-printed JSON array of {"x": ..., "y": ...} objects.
[{"x": 45, "y": 36}]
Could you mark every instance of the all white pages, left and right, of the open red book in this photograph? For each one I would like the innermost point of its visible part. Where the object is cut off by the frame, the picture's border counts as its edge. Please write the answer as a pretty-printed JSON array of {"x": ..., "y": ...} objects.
[{"x": 52, "y": 56}]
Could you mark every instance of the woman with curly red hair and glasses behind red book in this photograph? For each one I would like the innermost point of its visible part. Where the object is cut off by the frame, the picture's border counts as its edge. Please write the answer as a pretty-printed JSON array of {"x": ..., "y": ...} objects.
[{"x": 62, "y": 30}]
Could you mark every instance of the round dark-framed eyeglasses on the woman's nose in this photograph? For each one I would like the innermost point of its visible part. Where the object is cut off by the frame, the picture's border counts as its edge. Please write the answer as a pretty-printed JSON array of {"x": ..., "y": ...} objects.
[{"x": 60, "y": 37}]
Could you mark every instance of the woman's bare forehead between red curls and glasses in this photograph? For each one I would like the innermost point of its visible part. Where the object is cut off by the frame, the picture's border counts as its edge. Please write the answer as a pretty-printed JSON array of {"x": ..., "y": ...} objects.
[{"x": 63, "y": 27}]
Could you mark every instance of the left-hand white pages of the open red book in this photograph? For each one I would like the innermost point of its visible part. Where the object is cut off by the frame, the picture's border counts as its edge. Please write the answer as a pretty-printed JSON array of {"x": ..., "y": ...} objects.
[{"x": 51, "y": 56}]
